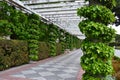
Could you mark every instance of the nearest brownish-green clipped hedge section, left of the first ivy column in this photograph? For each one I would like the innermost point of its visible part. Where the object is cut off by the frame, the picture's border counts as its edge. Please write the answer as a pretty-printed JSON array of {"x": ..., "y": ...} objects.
[{"x": 13, "y": 53}]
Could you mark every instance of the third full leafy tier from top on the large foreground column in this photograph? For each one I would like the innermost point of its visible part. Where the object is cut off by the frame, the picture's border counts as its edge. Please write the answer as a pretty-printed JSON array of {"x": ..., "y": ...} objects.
[{"x": 98, "y": 49}]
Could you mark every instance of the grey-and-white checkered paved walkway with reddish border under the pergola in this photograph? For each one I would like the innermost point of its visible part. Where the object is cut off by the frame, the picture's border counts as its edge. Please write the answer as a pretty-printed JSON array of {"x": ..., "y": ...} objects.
[{"x": 63, "y": 67}]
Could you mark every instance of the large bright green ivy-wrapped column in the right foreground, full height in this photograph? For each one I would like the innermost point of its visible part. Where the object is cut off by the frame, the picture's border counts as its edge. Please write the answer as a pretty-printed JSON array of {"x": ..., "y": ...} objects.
[{"x": 97, "y": 54}]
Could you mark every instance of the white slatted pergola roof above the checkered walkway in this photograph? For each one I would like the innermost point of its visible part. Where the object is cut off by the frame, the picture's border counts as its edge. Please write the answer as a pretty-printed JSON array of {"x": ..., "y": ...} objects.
[{"x": 62, "y": 13}]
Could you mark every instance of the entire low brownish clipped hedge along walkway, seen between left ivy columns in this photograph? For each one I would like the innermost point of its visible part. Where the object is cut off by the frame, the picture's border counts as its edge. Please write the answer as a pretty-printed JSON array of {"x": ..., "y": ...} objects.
[{"x": 15, "y": 52}]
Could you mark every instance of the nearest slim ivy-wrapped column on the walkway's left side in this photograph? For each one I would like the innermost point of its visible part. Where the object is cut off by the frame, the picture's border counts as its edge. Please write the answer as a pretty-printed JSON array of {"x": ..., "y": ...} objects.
[{"x": 33, "y": 36}]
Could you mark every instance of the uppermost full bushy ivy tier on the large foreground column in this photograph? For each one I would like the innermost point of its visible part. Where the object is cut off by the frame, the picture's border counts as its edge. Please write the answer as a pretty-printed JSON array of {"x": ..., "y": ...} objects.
[{"x": 97, "y": 13}]
